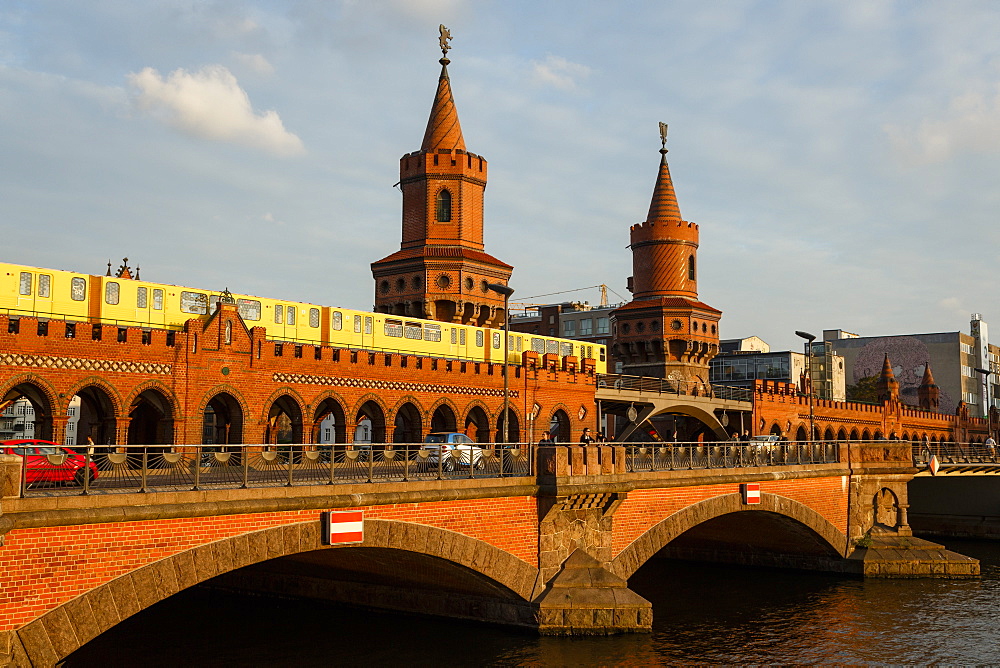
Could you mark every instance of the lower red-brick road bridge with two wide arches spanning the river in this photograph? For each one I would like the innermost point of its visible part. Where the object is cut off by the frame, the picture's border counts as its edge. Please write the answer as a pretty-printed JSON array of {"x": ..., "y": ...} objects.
[{"x": 551, "y": 549}]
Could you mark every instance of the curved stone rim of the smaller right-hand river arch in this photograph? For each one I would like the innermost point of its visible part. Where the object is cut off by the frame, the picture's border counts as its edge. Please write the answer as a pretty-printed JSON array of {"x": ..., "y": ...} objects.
[{"x": 644, "y": 547}]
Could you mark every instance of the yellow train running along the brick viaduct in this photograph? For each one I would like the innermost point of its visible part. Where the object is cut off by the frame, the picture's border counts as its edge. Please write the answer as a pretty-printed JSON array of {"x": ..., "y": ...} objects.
[{"x": 127, "y": 302}]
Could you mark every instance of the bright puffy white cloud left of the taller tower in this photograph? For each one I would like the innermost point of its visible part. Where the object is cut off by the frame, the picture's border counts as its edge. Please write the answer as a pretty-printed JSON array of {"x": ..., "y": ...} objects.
[{"x": 211, "y": 105}]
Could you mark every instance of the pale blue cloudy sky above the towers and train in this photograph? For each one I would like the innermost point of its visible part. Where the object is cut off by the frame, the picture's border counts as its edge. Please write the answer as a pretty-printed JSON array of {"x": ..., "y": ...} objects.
[{"x": 841, "y": 157}]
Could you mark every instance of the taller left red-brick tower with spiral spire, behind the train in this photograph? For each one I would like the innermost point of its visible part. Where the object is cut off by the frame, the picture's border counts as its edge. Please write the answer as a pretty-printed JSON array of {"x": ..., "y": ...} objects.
[{"x": 441, "y": 270}]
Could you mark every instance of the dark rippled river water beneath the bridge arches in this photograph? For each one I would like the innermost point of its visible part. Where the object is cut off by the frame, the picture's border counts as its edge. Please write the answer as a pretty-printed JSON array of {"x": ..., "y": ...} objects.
[{"x": 702, "y": 614}]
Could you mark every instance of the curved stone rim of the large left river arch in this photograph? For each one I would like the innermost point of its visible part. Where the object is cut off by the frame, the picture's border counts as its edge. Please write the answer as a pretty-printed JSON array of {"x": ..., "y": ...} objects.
[{"x": 64, "y": 629}]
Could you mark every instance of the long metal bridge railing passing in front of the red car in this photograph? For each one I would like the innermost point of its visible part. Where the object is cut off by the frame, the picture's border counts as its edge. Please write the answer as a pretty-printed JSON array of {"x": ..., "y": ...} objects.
[{"x": 156, "y": 468}]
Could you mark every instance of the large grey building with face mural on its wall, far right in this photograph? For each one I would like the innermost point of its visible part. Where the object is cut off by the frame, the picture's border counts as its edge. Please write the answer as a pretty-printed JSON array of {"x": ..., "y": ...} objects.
[{"x": 958, "y": 362}]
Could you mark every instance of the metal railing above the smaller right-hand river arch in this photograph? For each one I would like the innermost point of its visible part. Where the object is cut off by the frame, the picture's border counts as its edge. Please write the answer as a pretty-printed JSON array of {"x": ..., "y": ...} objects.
[{"x": 727, "y": 455}]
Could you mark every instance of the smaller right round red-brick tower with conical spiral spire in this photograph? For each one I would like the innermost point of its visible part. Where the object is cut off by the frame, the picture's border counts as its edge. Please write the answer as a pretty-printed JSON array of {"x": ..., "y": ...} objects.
[{"x": 665, "y": 331}]
